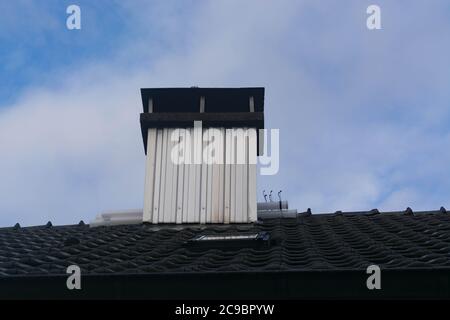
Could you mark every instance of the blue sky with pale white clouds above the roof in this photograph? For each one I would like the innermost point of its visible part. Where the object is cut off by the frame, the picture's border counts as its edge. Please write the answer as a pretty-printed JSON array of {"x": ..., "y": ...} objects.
[{"x": 364, "y": 115}]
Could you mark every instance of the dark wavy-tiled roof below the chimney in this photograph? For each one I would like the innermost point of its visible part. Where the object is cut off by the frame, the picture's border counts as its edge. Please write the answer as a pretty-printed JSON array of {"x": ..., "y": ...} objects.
[{"x": 339, "y": 242}]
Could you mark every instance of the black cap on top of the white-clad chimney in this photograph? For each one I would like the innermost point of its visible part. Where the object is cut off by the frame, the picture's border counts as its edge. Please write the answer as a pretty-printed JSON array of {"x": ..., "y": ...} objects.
[{"x": 215, "y": 107}]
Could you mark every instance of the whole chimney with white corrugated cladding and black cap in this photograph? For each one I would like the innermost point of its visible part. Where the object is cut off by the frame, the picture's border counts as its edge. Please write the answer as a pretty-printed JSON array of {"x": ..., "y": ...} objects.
[{"x": 201, "y": 146}]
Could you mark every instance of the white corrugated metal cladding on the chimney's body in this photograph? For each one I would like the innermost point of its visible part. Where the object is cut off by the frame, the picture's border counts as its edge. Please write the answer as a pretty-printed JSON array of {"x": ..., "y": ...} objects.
[{"x": 181, "y": 187}]
